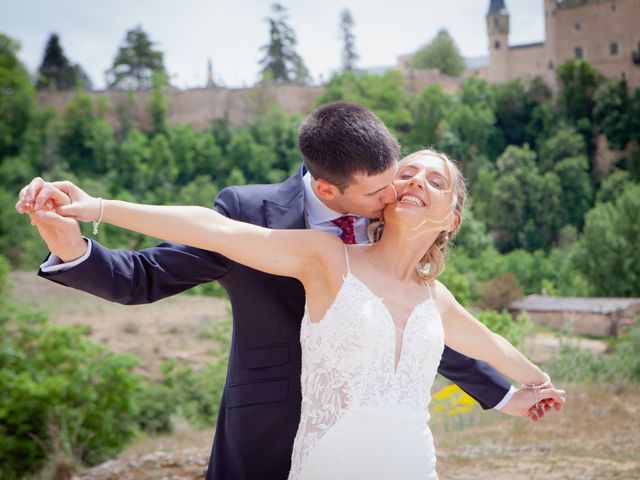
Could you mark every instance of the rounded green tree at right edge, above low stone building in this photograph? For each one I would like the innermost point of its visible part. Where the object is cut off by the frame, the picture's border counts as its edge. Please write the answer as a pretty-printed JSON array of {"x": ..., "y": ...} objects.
[{"x": 607, "y": 251}]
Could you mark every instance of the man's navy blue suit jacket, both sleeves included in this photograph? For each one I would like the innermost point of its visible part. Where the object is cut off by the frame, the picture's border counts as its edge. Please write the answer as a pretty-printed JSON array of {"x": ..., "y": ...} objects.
[{"x": 260, "y": 407}]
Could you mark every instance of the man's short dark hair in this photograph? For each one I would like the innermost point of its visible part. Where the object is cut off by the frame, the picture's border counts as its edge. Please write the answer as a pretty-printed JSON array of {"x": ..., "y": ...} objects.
[{"x": 340, "y": 139}]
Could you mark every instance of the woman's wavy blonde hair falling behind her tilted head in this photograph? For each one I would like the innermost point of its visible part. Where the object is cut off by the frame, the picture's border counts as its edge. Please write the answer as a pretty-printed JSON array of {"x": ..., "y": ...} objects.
[{"x": 431, "y": 265}]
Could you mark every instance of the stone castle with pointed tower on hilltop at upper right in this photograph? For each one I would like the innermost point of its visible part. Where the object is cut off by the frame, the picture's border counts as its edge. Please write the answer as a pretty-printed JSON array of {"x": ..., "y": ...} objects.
[{"x": 606, "y": 33}]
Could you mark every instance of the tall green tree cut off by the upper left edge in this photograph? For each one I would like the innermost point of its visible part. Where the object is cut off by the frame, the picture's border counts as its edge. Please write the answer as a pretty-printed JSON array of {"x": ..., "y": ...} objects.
[{"x": 17, "y": 102}]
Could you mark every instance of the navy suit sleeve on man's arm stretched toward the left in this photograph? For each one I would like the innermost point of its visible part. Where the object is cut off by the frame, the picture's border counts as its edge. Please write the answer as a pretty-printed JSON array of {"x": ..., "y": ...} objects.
[{"x": 151, "y": 274}]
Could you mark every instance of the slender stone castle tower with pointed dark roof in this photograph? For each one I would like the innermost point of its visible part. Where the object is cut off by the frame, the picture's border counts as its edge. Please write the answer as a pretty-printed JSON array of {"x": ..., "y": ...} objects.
[{"x": 498, "y": 31}]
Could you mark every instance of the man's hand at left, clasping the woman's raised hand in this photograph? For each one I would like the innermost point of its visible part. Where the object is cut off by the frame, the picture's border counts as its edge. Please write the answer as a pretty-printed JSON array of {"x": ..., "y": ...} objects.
[{"x": 62, "y": 235}]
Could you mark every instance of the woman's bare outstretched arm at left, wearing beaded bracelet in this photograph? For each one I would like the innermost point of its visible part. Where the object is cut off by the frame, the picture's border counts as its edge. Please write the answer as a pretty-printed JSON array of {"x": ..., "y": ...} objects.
[{"x": 294, "y": 253}]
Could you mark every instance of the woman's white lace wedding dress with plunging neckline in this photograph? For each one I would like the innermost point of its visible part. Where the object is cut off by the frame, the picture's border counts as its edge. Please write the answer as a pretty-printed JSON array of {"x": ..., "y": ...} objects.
[{"x": 363, "y": 416}]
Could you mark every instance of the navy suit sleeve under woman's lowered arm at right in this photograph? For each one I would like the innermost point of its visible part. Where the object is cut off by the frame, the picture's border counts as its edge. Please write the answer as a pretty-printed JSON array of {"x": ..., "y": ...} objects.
[{"x": 477, "y": 378}]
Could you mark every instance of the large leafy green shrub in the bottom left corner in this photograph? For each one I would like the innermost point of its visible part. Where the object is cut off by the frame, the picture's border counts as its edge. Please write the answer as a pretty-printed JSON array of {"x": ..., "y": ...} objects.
[{"x": 59, "y": 390}]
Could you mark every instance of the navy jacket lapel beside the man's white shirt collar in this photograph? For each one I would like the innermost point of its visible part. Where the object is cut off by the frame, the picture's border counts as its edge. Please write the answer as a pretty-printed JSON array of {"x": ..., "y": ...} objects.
[{"x": 286, "y": 209}]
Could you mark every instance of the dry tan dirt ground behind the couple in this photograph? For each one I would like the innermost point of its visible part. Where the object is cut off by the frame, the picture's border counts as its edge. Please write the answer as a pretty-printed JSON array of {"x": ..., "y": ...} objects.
[{"x": 597, "y": 436}]
